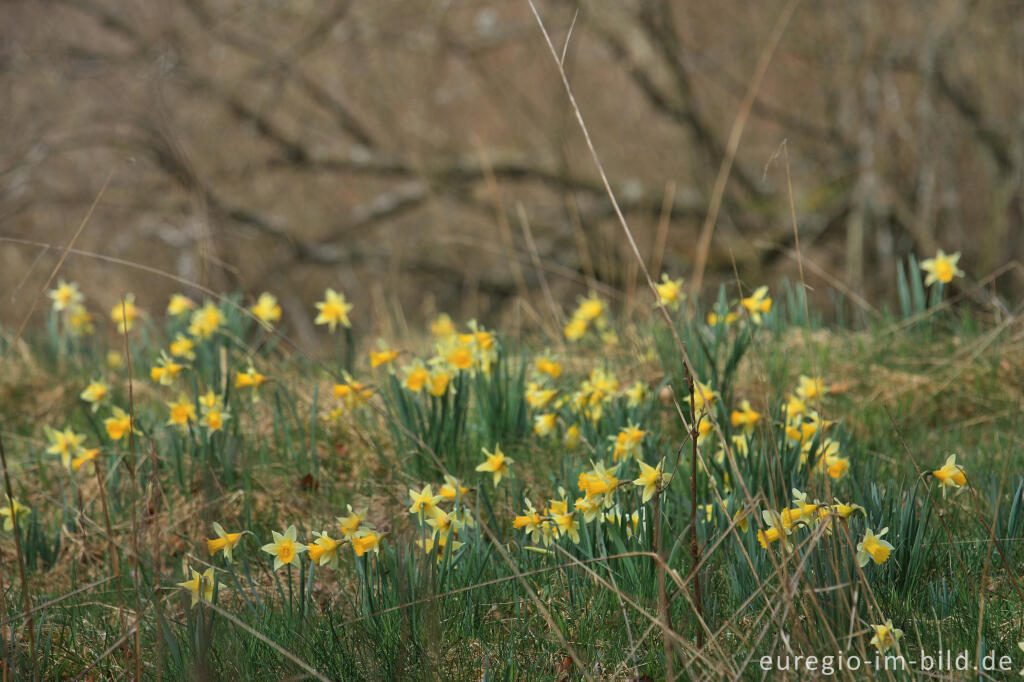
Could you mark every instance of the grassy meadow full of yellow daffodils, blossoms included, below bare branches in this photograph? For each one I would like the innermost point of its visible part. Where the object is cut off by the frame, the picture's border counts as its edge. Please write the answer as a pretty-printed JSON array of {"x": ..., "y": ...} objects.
[{"x": 677, "y": 489}]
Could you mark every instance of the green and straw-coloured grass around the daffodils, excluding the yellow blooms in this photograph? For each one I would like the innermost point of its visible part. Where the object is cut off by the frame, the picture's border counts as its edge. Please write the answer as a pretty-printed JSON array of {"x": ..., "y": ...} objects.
[{"x": 908, "y": 390}]
